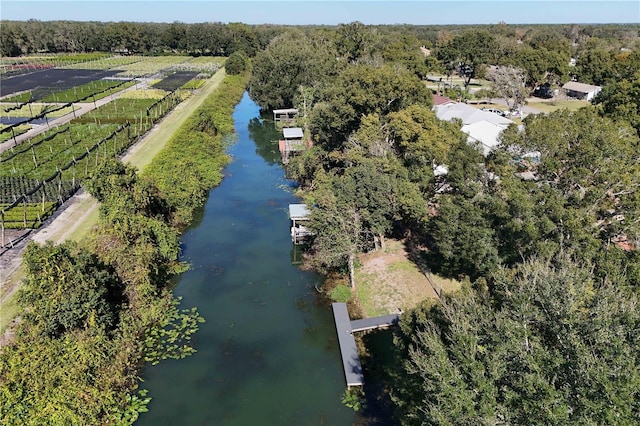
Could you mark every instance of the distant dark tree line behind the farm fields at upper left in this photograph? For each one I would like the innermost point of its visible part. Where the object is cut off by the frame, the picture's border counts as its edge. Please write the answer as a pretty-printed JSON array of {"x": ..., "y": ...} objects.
[{"x": 217, "y": 39}]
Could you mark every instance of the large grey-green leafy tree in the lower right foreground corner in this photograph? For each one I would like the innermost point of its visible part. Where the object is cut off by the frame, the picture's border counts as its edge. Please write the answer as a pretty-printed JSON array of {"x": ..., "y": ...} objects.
[{"x": 543, "y": 344}]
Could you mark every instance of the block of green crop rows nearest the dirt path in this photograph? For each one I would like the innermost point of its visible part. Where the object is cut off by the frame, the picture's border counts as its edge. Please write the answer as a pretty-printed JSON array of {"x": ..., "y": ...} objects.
[{"x": 67, "y": 159}]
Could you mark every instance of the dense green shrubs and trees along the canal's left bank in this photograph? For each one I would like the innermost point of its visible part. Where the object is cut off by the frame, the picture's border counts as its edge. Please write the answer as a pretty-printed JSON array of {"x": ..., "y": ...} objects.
[{"x": 112, "y": 310}]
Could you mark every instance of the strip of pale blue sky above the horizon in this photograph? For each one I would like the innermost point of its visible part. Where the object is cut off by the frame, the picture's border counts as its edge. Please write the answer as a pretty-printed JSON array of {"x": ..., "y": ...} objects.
[{"x": 328, "y": 12}]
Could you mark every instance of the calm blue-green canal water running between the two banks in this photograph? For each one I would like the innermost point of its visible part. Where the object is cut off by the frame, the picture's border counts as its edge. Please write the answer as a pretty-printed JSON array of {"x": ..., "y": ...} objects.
[{"x": 268, "y": 352}]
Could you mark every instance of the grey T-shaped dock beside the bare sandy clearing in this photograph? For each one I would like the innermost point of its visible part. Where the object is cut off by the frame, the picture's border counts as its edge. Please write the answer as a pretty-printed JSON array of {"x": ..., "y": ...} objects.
[{"x": 348, "y": 350}]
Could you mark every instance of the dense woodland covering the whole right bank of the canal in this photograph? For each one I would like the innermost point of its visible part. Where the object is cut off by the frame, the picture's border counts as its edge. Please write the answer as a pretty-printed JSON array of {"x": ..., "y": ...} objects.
[{"x": 545, "y": 328}]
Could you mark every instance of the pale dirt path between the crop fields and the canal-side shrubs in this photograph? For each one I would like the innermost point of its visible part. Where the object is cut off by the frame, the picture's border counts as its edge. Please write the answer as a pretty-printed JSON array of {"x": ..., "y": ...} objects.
[{"x": 79, "y": 213}]
